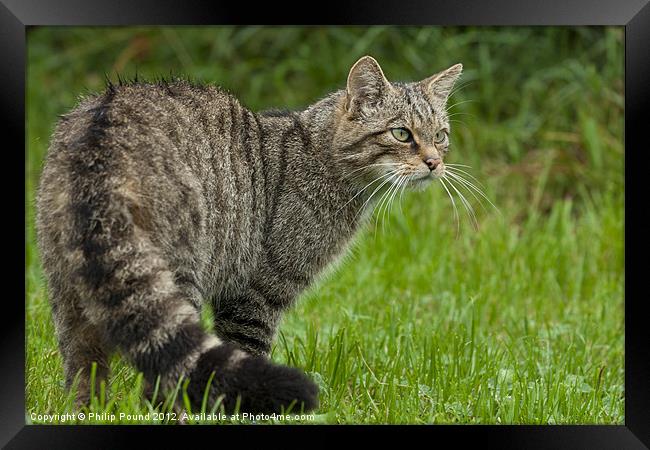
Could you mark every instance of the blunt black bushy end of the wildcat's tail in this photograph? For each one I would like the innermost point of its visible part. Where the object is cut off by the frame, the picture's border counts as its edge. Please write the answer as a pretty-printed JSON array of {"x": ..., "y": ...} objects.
[{"x": 261, "y": 385}]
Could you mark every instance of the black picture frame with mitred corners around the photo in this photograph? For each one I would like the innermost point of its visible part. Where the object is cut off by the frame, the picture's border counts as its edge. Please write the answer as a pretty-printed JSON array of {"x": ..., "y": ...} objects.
[{"x": 634, "y": 15}]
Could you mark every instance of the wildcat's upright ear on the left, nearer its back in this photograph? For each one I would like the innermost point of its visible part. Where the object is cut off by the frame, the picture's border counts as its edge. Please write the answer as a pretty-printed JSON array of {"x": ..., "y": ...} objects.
[{"x": 366, "y": 84}]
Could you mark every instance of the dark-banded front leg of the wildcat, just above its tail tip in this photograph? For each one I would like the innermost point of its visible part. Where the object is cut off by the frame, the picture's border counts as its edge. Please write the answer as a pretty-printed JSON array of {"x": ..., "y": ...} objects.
[{"x": 249, "y": 320}]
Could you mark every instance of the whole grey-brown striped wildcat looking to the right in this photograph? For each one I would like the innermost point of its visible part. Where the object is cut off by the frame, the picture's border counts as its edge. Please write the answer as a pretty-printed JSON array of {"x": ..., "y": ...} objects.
[{"x": 156, "y": 196}]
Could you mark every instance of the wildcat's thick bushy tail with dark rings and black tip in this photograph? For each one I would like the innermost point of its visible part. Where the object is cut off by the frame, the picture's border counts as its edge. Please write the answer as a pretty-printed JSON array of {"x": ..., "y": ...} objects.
[{"x": 131, "y": 296}]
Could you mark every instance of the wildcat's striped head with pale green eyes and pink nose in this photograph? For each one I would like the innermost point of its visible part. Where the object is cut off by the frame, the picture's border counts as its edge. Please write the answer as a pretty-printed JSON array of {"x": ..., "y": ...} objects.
[{"x": 394, "y": 132}]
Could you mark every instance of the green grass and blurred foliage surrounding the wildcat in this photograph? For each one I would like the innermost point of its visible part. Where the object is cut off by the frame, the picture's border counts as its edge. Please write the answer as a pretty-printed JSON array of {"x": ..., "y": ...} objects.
[{"x": 518, "y": 322}]
